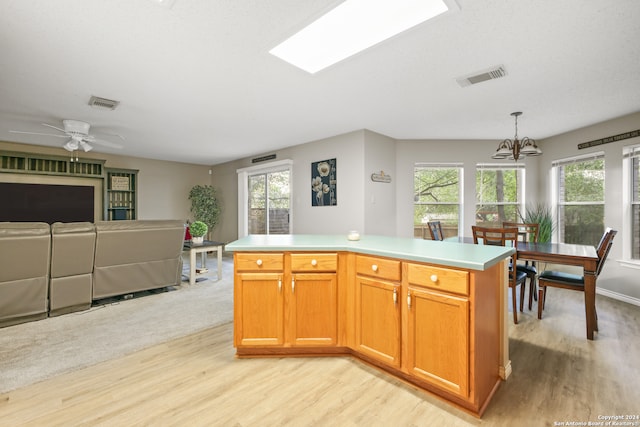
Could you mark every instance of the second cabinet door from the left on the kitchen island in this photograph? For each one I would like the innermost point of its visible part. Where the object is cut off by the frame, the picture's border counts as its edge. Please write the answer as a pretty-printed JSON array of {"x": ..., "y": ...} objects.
[{"x": 313, "y": 309}]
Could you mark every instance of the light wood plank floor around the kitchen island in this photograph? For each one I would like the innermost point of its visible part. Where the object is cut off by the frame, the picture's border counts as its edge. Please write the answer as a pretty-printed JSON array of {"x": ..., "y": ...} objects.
[{"x": 558, "y": 376}]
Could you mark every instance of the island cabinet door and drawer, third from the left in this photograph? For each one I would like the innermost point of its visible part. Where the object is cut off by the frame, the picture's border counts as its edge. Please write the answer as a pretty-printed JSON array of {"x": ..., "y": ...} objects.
[{"x": 377, "y": 309}]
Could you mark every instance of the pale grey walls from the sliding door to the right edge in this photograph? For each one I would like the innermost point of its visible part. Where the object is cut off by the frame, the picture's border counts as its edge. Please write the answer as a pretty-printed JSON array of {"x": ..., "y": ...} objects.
[{"x": 361, "y": 153}]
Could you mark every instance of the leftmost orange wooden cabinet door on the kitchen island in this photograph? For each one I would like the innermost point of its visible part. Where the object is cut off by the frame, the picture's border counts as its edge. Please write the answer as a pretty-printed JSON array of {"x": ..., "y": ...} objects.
[{"x": 259, "y": 309}]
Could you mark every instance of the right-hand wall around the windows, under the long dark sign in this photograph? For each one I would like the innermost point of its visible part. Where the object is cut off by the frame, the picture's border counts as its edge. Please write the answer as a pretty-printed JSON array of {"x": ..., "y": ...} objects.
[{"x": 618, "y": 279}]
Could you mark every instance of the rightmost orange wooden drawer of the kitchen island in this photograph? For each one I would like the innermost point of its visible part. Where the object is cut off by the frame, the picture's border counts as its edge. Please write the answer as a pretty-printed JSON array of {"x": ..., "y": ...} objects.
[{"x": 443, "y": 279}]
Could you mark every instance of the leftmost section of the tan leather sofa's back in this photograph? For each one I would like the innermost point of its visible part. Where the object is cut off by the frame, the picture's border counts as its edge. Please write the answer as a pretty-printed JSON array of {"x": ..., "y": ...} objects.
[{"x": 25, "y": 249}]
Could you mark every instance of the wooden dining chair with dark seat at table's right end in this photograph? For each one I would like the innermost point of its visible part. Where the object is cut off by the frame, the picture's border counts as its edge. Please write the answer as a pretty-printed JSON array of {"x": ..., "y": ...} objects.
[{"x": 559, "y": 279}]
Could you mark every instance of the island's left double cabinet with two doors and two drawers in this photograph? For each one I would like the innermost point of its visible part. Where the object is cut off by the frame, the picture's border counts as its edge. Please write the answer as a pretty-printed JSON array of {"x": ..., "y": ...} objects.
[{"x": 286, "y": 300}]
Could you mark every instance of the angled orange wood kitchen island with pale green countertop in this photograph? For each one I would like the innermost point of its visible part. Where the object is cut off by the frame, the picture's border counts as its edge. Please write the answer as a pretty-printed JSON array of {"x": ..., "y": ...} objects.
[{"x": 432, "y": 314}]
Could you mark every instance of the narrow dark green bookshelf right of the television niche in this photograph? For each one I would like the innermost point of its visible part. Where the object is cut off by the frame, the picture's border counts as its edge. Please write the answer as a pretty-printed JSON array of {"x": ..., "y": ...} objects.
[{"x": 120, "y": 194}]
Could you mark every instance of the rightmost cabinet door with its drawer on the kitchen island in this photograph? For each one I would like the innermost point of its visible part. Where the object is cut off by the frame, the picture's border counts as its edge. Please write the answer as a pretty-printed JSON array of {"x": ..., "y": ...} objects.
[{"x": 438, "y": 326}]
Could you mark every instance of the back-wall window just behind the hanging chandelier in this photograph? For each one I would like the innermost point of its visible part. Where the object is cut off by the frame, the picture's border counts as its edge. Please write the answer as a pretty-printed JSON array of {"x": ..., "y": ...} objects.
[{"x": 499, "y": 194}]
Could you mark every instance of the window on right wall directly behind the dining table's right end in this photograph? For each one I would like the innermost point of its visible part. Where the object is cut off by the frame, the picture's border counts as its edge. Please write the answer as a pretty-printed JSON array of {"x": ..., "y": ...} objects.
[{"x": 580, "y": 199}]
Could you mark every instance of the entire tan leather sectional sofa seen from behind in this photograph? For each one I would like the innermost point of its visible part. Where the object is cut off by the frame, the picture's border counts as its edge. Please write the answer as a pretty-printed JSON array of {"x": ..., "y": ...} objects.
[{"x": 49, "y": 270}]
